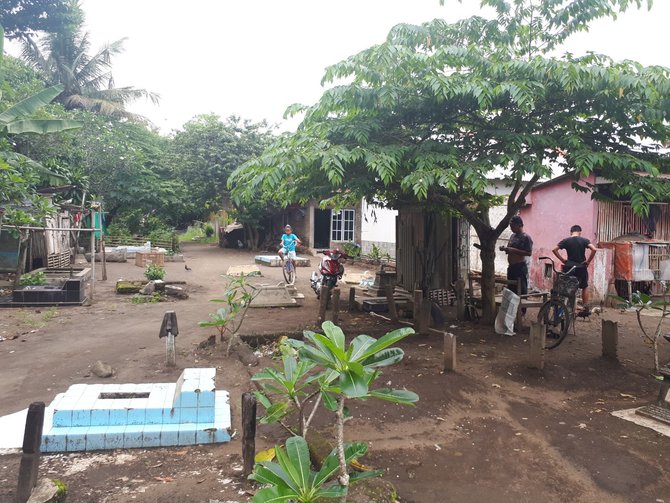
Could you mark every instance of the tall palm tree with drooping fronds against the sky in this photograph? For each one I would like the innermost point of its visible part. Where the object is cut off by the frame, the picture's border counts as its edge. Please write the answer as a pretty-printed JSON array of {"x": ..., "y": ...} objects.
[{"x": 63, "y": 58}]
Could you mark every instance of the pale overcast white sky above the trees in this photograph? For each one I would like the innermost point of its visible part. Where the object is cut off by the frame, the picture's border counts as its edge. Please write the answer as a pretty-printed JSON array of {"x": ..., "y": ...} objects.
[{"x": 253, "y": 58}]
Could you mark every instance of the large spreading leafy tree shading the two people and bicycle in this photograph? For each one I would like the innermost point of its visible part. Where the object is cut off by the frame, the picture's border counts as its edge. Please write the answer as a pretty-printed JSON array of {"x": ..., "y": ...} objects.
[{"x": 429, "y": 115}]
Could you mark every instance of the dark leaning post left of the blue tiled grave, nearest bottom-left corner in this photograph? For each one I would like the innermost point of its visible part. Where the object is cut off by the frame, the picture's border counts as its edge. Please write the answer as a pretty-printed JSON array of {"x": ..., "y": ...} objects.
[{"x": 30, "y": 460}]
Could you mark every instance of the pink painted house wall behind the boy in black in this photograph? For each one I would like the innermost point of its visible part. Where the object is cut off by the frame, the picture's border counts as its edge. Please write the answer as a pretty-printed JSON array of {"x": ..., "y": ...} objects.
[{"x": 554, "y": 208}]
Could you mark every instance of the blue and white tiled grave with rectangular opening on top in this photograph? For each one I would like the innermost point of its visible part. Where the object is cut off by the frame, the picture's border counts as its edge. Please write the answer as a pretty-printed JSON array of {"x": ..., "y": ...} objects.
[{"x": 111, "y": 416}]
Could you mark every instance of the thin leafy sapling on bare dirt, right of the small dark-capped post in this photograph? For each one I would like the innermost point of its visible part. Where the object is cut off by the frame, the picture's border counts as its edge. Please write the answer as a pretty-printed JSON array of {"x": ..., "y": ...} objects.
[{"x": 237, "y": 297}]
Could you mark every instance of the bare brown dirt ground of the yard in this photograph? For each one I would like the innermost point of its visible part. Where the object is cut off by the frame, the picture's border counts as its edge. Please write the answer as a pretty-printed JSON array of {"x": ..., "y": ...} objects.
[{"x": 494, "y": 430}]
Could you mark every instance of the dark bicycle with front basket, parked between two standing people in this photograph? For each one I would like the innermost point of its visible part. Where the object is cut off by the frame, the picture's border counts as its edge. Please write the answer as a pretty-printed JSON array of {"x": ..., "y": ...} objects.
[{"x": 559, "y": 310}]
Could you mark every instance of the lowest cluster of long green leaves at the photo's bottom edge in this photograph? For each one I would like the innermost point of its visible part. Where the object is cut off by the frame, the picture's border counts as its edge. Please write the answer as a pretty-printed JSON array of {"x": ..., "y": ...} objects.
[{"x": 292, "y": 479}]
